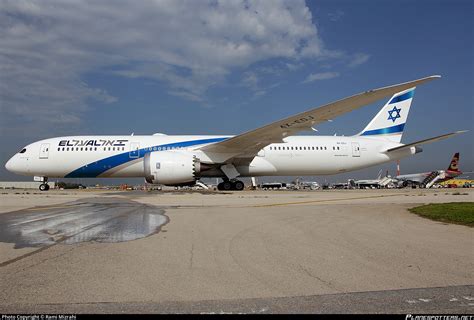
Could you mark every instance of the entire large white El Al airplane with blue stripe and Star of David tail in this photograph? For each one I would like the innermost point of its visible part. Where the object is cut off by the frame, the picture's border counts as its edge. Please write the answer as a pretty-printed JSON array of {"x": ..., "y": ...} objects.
[{"x": 271, "y": 150}]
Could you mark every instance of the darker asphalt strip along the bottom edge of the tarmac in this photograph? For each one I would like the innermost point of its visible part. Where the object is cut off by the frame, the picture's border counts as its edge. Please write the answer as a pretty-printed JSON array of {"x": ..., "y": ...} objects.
[{"x": 454, "y": 300}]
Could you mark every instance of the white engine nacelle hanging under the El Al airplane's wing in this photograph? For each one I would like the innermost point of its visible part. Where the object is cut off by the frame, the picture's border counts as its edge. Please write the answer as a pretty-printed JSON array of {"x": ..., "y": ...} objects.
[{"x": 171, "y": 167}]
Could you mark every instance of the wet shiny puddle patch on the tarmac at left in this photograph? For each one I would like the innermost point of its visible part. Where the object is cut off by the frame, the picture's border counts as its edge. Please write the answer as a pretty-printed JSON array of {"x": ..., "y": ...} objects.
[{"x": 95, "y": 219}]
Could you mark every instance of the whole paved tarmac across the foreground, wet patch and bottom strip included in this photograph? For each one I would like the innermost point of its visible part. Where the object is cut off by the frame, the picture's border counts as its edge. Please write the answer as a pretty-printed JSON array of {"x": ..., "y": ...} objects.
[{"x": 271, "y": 252}]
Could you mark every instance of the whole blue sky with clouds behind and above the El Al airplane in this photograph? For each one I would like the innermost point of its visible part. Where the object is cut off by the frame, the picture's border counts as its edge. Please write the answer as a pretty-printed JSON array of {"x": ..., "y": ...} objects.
[{"x": 211, "y": 67}]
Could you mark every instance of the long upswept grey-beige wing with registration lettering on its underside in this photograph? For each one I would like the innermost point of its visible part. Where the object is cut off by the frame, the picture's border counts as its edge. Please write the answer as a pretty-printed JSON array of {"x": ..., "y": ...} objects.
[{"x": 249, "y": 143}]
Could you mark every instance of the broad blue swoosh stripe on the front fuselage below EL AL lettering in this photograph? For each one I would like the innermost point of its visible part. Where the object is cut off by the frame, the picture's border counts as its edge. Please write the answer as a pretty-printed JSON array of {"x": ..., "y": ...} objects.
[{"x": 96, "y": 168}]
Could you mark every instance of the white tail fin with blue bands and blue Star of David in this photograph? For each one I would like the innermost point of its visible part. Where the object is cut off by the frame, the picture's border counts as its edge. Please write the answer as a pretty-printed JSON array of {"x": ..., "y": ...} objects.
[{"x": 390, "y": 121}]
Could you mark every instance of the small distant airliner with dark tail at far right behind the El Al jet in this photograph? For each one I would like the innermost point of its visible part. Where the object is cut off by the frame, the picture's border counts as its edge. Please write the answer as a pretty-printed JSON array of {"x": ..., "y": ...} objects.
[{"x": 427, "y": 179}]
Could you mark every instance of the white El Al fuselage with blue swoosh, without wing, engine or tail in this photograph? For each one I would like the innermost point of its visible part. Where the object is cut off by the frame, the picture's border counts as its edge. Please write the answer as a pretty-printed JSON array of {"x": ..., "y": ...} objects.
[{"x": 122, "y": 156}]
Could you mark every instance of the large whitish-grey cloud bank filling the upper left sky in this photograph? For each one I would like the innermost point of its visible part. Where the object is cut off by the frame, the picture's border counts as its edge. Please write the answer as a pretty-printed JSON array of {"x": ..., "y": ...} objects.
[{"x": 50, "y": 46}]
